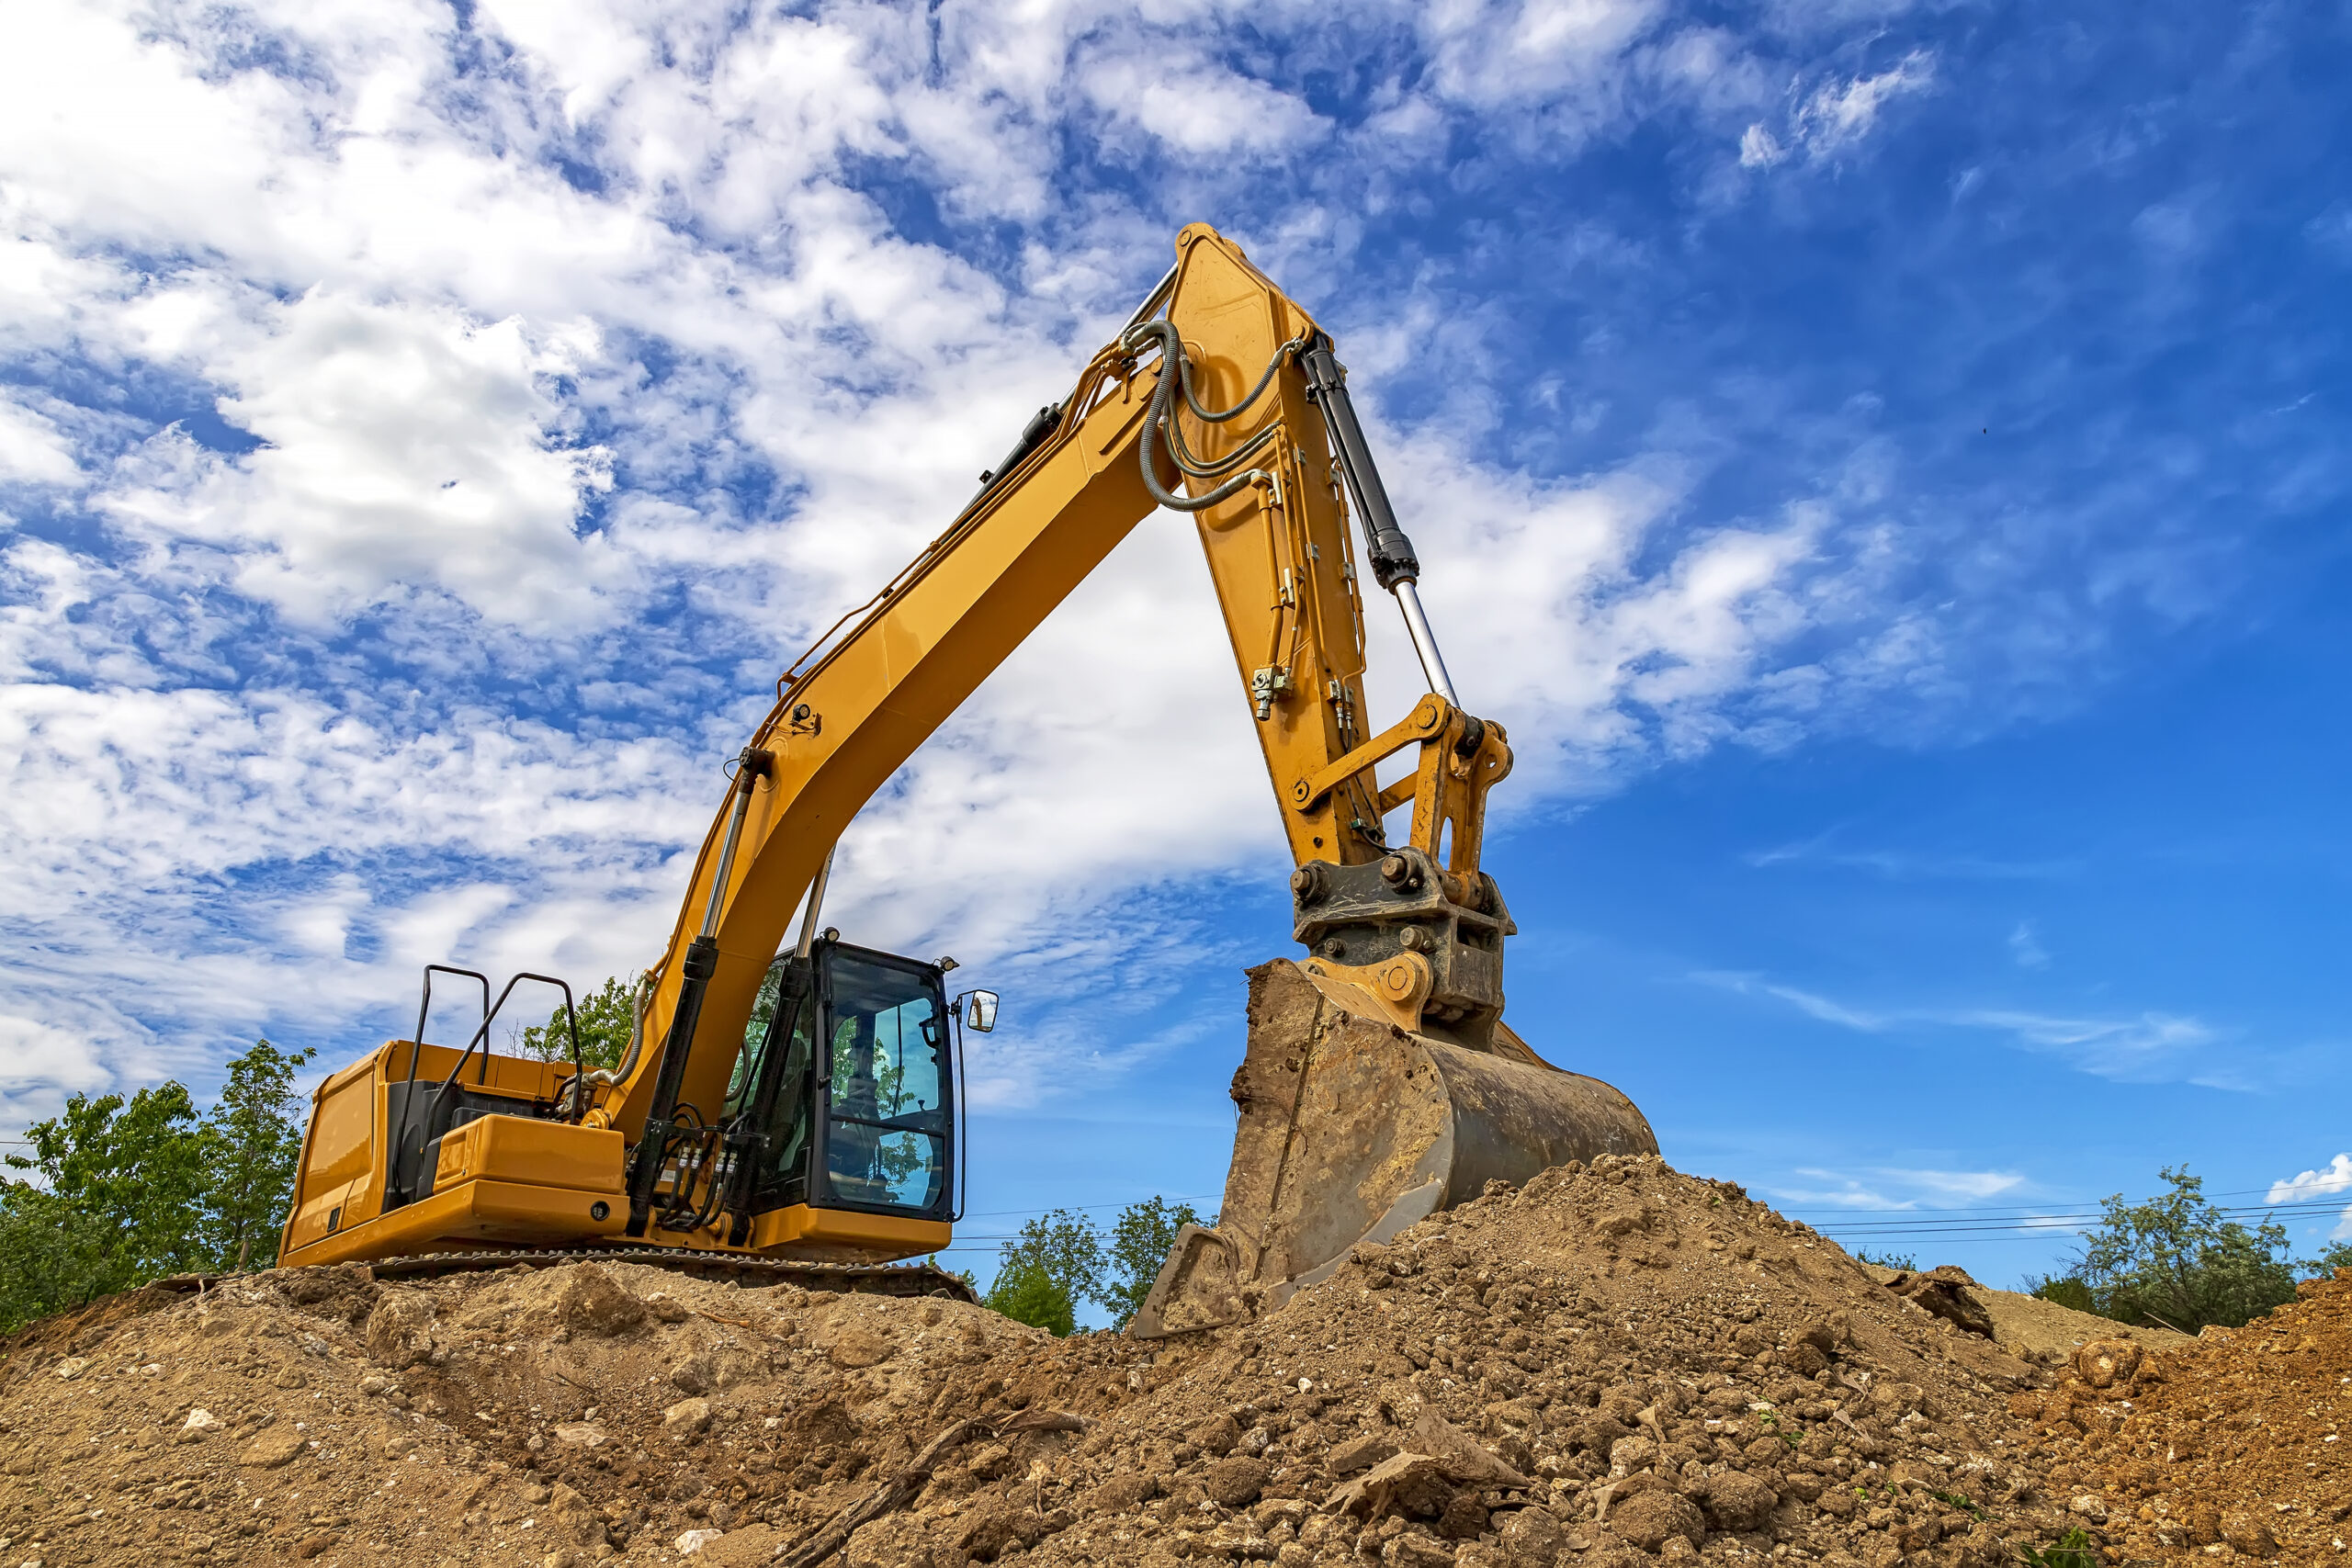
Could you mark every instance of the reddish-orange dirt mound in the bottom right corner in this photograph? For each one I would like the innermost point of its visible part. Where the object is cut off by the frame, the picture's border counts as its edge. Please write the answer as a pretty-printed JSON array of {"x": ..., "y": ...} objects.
[{"x": 2229, "y": 1447}]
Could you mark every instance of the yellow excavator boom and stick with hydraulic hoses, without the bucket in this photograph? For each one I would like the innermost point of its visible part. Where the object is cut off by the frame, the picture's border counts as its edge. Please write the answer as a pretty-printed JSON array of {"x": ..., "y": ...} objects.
[{"x": 1269, "y": 507}]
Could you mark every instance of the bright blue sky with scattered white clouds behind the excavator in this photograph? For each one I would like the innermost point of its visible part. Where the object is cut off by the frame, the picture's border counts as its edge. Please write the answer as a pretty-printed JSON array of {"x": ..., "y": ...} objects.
[{"x": 1883, "y": 462}]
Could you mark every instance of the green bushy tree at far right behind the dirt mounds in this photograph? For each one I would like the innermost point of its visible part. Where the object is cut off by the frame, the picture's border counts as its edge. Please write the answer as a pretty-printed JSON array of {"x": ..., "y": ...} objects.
[{"x": 2179, "y": 1264}]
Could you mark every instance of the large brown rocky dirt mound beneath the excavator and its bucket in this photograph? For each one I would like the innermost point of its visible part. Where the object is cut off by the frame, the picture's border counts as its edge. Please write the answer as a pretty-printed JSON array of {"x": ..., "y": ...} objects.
[{"x": 1610, "y": 1367}]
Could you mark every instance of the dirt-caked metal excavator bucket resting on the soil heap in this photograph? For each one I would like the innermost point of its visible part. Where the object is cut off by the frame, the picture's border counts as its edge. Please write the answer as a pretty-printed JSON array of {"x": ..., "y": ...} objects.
[{"x": 1354, "y": 1130}]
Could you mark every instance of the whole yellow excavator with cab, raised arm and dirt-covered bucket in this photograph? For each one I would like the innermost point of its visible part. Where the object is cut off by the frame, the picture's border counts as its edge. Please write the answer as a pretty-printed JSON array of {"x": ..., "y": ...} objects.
[{"x": 789, "y": 1106}]
